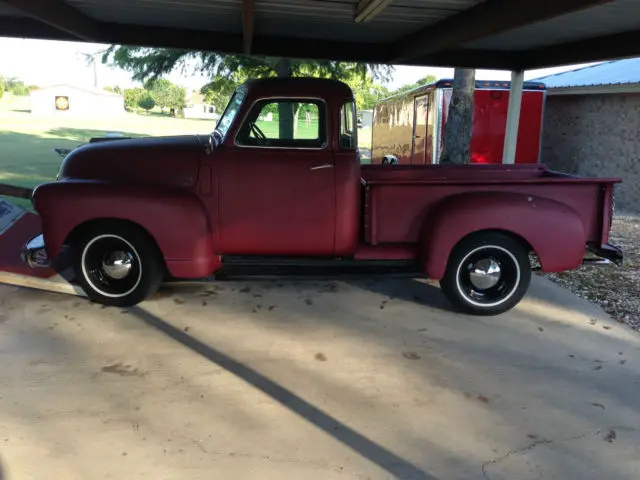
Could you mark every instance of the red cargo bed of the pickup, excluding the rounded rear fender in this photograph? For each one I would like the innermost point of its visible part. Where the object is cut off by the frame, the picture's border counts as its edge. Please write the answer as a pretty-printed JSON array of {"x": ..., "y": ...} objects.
[{"x": 398, "y": 199}]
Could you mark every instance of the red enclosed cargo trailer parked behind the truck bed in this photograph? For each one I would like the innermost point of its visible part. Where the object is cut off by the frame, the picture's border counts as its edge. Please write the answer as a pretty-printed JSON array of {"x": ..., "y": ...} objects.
[{"x": 408, "y": 128}]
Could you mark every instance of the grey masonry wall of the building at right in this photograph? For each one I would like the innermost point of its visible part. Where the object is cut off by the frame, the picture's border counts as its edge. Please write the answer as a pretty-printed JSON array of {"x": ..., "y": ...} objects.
[{"x": 596, "y": 135}]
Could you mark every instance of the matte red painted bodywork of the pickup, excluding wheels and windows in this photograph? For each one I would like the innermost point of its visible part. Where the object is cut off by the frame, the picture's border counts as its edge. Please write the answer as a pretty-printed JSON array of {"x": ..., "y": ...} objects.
[{"x": 202, "y": 198}]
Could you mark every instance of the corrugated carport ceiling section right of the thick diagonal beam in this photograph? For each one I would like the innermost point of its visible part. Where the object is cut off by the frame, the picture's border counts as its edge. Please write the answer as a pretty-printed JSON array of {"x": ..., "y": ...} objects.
[{"x": 608, "y": 18}]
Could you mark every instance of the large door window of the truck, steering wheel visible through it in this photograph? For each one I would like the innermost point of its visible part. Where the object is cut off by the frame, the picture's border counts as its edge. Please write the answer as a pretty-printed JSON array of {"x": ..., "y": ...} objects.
[{"x": 285, "y": 124}]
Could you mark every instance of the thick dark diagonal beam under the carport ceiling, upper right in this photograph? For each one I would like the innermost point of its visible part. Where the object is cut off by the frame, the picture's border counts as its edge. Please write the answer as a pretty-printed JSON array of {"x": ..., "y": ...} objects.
[{"x": 484, "y": 19}]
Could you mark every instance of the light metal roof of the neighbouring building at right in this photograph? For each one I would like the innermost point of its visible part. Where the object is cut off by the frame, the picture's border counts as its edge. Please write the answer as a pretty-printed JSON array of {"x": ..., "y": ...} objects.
[{"x": 617, "y": 72}]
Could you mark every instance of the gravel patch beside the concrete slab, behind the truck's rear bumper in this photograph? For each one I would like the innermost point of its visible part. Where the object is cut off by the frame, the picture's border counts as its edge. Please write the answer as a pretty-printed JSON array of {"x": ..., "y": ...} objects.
[{"x": 615, "y": 290}]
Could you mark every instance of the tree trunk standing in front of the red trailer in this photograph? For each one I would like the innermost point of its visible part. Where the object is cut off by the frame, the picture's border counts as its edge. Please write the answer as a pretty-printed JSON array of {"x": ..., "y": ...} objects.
[{"x": 457, "y": 130}]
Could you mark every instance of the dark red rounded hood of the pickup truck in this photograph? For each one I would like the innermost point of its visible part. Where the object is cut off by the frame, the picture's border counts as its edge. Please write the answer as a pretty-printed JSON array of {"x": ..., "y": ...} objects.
[{"x": 171, "y": 161}]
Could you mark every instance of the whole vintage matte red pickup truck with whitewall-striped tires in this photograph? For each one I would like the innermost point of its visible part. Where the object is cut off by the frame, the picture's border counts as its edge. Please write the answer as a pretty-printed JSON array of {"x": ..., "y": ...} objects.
[{"x": 279, "y": 184}]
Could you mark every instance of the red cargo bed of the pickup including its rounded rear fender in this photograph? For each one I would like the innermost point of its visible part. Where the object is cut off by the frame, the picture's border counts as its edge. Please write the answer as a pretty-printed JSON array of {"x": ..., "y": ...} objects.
[{"x": 443, "y": 204}]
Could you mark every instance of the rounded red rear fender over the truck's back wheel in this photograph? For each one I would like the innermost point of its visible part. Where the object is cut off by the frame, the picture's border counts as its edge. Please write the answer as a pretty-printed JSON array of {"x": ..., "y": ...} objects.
[{"x": 554, "y": 230}]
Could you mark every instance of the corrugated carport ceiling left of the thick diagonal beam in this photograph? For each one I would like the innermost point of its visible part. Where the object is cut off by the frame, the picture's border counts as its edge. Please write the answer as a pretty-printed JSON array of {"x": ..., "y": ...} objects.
[{"x": 321, "y": 19}]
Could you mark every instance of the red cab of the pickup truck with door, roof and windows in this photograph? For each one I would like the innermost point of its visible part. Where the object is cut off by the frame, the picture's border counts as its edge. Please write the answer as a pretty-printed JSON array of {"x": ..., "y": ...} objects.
[{"x": 286, "y": 164}]
